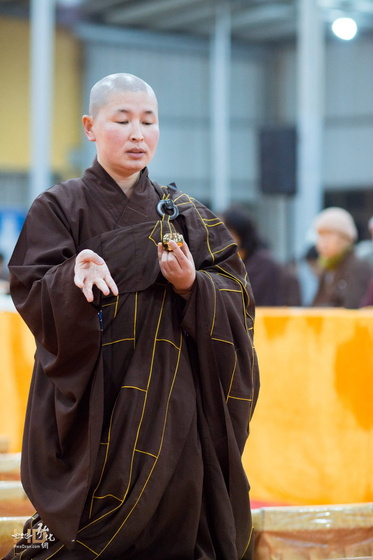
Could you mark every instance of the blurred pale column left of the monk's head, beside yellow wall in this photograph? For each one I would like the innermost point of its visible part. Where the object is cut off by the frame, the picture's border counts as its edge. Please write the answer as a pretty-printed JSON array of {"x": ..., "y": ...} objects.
[{"x": 42, "y": 20}]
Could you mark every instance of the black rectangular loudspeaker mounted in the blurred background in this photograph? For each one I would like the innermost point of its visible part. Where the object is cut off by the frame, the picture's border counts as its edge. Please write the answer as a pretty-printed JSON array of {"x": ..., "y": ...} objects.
[{"x": 278, "y": 160}]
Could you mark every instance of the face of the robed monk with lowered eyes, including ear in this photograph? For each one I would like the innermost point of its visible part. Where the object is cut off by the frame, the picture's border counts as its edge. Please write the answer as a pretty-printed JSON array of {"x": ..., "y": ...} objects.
[{"x": 126, "y": 132}]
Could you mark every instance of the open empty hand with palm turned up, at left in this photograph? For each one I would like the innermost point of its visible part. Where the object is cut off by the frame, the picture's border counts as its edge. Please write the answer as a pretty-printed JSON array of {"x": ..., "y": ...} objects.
[{"x": 91, "y": 270}]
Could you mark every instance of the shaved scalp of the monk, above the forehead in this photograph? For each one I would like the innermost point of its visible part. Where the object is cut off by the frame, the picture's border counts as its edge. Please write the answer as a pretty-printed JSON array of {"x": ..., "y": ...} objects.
[{"x": 114, "y": 83}]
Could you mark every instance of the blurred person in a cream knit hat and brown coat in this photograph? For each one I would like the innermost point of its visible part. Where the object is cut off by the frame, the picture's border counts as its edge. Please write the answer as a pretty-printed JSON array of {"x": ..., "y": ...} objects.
[{"x": 344, "y": 277}]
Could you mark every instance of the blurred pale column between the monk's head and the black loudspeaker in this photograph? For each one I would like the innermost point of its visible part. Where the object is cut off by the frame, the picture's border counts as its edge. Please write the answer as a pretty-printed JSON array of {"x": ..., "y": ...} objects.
[{"x": 220, "y": 107}]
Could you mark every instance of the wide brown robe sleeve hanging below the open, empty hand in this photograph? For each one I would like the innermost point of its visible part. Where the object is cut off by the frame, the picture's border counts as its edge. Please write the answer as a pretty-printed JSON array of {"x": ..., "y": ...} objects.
[{"x": 62, "y": 427}]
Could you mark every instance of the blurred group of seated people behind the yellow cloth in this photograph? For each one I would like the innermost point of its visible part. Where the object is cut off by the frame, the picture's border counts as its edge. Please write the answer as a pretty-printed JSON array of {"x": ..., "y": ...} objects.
[{"x": 341, "y": 268}]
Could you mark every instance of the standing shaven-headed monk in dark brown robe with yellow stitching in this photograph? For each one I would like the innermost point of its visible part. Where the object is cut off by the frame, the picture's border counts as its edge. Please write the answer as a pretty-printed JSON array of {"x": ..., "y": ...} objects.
[{"x": 145, "y": 375}]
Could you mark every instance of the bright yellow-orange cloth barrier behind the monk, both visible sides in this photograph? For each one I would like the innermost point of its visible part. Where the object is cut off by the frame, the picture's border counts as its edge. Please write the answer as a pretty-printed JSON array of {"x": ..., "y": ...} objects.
[{"x": 311, "y": 436}]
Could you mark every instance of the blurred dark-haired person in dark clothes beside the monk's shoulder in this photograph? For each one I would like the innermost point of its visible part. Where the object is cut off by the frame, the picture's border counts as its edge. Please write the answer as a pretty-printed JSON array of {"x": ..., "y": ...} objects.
[{"x": 273, "y": 284}]
